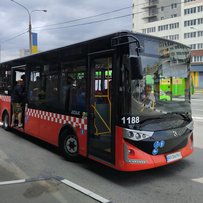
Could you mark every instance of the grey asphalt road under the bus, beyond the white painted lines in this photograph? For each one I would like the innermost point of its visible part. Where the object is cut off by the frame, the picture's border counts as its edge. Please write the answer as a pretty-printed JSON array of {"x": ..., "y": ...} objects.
[{"x": 22, "y": 157}]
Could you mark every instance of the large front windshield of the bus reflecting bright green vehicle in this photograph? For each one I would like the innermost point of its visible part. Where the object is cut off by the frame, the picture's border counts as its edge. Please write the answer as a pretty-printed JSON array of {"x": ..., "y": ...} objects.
[{"x": 164, "y": 91}]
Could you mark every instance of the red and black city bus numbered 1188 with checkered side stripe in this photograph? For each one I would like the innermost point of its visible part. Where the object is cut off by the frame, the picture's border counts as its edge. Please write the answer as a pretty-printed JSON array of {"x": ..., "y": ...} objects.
[{"x": 92, "y": 99}]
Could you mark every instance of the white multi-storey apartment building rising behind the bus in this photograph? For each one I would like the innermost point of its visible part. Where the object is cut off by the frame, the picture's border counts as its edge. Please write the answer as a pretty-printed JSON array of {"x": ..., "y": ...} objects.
[{"x": 177, "y": 20}]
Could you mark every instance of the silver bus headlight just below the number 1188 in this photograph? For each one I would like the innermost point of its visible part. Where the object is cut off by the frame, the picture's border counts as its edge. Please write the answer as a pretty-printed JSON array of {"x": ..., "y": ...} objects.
[{"x": 136, "y": 135}]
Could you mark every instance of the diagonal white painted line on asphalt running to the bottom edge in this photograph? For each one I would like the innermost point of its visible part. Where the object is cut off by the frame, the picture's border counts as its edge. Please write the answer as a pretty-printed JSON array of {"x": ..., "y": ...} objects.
[{"x": 85, "y": 191}]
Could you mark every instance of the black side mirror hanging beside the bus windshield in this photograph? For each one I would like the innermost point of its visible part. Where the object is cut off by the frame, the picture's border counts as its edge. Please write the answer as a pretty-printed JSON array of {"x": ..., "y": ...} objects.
[{"x": 136, "y": 67}]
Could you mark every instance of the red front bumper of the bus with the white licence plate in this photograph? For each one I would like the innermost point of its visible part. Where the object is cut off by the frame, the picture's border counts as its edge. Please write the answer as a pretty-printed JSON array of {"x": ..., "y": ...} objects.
[{"x": 130, "y": 158}]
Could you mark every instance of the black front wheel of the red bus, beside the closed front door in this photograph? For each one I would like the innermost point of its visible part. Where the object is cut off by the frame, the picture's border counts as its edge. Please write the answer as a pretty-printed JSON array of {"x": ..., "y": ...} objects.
[{"x": 69, "y": 145}]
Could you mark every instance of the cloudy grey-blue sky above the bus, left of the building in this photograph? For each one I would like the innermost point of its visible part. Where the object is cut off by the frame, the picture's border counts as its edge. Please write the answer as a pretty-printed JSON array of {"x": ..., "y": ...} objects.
[{"x": 54, "y": 27}]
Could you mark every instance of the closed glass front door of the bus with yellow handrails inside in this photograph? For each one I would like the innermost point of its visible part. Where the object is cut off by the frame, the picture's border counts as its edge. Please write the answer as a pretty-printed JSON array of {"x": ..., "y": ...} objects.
[{"x": 100, "y": 136}]
